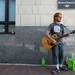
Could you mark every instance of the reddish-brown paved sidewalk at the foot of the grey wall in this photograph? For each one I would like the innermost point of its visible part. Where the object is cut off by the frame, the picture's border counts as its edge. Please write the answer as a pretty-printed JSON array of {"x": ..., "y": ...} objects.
[{"x": 18, "y": 69}]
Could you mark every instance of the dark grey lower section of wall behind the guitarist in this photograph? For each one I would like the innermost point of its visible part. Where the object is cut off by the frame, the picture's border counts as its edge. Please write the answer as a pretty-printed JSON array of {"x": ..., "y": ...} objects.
[{"x": 24, "y": 46}]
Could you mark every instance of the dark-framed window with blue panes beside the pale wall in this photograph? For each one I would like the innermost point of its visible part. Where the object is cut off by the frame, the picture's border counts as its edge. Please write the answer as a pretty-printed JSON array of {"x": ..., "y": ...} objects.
[{"x": 7, "y": 16}]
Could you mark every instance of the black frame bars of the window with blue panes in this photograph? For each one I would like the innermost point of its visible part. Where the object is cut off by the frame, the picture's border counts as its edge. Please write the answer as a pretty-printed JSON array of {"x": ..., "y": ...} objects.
[{"x": 6, "y": 23}]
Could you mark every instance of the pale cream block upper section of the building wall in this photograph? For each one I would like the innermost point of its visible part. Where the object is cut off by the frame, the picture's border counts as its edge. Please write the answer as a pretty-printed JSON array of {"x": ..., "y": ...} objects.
[{"x": 40, "y": 12}]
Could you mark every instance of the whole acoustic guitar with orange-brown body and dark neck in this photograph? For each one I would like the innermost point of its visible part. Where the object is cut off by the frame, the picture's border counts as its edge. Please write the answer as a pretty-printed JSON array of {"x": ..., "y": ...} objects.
[{"x": 47, "y": 43}]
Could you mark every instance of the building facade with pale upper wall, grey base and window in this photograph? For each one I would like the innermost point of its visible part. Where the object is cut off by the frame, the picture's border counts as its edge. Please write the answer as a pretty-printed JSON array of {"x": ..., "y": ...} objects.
[{"x": 29, "y": 19}]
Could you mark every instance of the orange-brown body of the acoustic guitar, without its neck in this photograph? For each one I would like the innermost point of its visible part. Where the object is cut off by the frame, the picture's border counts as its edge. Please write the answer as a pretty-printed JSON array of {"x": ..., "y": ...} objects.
[{"x": 47, "y": 43}]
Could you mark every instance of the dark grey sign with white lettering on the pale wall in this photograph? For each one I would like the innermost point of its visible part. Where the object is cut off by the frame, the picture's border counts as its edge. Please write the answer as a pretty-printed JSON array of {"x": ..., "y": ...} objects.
[{"x": 66, "y": 4}]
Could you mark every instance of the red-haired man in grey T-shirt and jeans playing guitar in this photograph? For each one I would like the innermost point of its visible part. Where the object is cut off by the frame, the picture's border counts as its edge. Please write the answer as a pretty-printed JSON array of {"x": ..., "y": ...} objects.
[{"x": 57, "y": 51}]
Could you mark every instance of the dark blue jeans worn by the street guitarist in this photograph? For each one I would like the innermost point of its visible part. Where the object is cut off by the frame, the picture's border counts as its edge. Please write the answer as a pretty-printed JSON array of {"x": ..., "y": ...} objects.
[{"x": 57, "y": 54}]
